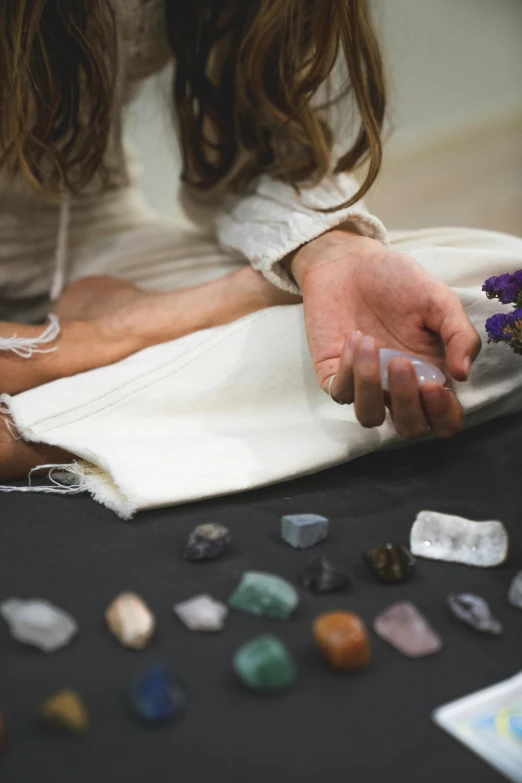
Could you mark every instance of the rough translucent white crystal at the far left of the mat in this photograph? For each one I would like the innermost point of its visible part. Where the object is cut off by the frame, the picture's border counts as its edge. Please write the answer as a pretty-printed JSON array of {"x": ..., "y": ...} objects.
[{"x": 39, "y": 623}]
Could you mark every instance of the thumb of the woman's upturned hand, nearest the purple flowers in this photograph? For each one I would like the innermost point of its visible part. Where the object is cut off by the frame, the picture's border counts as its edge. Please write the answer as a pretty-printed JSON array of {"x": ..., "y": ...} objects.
[{"x": 460, "y": 337}]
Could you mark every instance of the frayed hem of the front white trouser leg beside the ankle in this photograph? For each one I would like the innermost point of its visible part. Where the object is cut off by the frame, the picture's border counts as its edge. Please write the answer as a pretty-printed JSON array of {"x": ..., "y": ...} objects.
[{"x": 70, "y": 478}]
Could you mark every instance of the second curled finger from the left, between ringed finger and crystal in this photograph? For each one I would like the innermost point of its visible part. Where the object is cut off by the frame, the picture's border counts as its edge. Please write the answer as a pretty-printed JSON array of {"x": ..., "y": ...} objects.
[{"x": 369, "y": 397}]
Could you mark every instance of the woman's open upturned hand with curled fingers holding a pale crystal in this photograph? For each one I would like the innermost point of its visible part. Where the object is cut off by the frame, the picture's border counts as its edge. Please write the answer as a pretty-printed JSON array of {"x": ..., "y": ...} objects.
[{"x": 353, "y": 287}]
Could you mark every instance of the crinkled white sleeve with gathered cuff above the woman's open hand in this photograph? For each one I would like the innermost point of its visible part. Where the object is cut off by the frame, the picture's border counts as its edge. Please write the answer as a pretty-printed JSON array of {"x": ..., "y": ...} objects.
[{"x": 274, "y": 220}]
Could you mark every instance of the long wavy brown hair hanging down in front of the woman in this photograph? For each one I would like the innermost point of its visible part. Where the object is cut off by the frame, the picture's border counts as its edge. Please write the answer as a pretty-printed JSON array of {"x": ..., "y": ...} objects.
[{"x": 246, "y": 77}]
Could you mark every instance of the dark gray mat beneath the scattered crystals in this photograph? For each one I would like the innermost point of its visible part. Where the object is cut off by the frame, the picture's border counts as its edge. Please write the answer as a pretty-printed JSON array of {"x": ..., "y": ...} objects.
[{"x": 363, "y": 728}]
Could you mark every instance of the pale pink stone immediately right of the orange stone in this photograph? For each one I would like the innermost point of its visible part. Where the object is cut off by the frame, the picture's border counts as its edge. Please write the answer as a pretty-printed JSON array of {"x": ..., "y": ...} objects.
[{"x": 406, "y": 629}]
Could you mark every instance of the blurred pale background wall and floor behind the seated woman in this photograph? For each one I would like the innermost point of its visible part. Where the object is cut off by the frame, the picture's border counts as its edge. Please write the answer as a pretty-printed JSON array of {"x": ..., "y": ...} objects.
[{"x": 453, "y": 65}]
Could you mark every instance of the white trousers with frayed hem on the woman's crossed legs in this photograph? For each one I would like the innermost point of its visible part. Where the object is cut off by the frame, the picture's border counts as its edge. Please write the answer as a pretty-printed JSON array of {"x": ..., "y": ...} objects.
[{"x": 238, "y": 406}]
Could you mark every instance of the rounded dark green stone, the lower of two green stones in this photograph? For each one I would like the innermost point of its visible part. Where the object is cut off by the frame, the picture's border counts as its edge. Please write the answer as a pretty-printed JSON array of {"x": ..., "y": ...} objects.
[{"x": 265, "y": 664}]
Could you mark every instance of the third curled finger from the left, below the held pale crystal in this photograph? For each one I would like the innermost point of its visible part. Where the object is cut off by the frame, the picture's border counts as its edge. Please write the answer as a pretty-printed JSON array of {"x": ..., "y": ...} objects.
[{"x": 406, "y": 409}]
